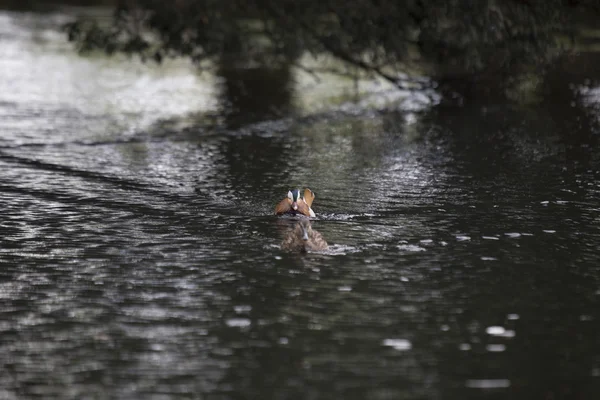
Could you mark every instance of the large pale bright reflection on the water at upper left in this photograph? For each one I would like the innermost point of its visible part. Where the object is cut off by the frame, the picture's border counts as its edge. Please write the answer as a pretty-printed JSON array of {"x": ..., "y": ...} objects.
[{"x": 50, "y": 95}]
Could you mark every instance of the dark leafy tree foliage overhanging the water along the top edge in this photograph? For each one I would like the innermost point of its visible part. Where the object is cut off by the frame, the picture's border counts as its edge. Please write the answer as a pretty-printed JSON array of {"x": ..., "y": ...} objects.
[{"x": 446, "y": 39}]
